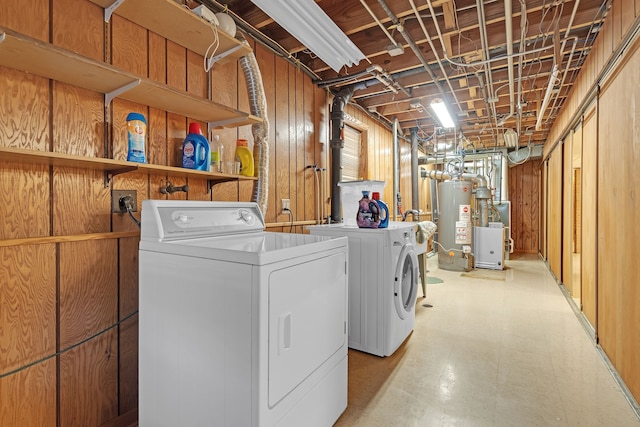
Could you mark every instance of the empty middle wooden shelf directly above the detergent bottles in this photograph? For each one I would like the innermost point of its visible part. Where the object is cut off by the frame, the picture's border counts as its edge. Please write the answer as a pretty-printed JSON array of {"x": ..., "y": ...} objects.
[{"x": 49, "y": 61}]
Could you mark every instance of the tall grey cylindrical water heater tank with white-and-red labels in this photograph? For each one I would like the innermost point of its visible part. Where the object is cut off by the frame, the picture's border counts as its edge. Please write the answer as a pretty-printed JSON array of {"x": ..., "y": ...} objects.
[{"x": 454, "y": 225}]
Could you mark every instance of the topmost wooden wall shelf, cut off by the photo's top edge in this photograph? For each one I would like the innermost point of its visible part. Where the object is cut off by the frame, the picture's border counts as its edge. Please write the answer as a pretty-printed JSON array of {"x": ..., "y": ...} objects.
[{"x": 176, "y": 23}]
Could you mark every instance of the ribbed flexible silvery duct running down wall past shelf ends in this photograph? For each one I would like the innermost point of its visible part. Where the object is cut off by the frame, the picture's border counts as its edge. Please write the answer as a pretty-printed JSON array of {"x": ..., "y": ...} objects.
[{"x": 260, "y": 131}]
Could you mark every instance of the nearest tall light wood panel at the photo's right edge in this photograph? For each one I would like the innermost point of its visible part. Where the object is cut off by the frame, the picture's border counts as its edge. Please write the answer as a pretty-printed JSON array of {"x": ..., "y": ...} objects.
[{"x": 618, "y": 296}]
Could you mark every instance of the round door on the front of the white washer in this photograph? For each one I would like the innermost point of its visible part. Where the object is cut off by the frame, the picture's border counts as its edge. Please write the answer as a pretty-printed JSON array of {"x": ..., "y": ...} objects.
[{"x": 406, "y": 281}]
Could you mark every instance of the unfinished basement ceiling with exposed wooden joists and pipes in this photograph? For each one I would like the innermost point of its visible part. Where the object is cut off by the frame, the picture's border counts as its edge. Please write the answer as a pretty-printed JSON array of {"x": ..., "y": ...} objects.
[{"x": 494, "y": 68}]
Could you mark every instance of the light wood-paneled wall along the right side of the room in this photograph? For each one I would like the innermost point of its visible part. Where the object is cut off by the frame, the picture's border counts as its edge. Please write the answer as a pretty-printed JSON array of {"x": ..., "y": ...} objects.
[{"x": 608, "y": 272}]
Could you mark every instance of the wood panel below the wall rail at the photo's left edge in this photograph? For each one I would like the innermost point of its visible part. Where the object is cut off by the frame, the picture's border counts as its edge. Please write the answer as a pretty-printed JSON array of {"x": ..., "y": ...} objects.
[{"x": 27, "y": 305}]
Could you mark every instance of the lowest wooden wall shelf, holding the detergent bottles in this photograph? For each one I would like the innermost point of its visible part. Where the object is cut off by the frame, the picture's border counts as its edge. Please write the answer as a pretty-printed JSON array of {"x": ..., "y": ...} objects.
[{"x": 110, "y": 166}]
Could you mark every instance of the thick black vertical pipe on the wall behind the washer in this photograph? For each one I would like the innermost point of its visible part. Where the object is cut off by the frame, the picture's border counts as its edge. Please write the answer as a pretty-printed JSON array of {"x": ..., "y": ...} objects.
[{"x": 340, "y": 100}]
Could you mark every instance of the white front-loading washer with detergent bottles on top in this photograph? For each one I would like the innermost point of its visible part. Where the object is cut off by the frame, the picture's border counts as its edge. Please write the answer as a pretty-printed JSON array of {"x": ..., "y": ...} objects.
[{"x": 383, "y": 283}]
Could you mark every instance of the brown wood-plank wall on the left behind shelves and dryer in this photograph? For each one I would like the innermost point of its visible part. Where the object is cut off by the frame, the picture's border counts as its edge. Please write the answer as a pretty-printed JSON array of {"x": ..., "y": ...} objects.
[{"x": 68, "y": 267}]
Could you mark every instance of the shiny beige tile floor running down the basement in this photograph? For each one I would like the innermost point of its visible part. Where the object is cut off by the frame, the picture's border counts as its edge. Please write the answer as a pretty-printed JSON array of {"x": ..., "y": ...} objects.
[{"x": 498, "y": 348}]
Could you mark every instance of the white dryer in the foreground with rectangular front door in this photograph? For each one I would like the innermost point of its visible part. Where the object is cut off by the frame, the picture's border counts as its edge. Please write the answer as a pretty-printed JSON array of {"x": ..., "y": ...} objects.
[{"x": 238, "y": 327}]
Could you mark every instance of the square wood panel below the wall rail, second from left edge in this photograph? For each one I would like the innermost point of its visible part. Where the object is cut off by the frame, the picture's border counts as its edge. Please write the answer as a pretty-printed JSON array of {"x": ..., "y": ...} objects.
[{"x": 88, "y": 289}]
